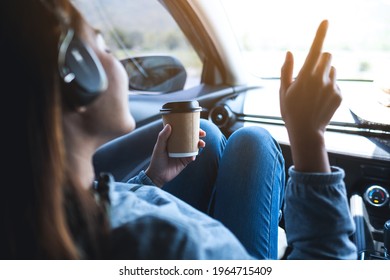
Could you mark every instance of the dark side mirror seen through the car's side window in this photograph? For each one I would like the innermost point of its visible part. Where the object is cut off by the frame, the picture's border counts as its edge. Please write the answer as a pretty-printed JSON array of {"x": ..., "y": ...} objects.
[{"x": 155, "y": 73}]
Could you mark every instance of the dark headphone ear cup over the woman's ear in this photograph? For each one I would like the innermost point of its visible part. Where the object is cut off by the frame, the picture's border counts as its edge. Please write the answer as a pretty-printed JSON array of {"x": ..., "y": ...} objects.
[{"x": 83, "y": 76}]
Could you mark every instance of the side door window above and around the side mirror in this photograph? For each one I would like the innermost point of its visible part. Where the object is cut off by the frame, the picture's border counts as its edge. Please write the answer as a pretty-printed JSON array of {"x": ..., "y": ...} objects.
[{"x": 134, "y": 28}]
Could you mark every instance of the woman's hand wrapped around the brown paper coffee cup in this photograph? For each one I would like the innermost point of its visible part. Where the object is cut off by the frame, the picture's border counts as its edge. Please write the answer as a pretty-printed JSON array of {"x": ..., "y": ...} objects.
[{"x": 162, "y": 168}]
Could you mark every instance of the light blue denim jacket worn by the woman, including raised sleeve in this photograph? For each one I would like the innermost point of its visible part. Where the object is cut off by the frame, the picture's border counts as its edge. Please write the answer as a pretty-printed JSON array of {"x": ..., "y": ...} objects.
[{"x": 149, "y": 223}]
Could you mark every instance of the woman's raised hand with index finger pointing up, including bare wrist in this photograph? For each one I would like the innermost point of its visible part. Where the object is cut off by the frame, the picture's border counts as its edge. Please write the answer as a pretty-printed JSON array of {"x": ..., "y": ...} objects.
[{"x": 308, "y": 103}]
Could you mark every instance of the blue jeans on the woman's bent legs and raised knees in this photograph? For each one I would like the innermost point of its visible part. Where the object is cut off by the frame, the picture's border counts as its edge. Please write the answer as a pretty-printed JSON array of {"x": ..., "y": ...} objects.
[{"x": 240, "y": 182}]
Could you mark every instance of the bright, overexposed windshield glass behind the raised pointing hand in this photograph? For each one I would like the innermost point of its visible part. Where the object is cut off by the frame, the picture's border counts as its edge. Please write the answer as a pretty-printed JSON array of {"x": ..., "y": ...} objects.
[{"x": 358, "y": 35}]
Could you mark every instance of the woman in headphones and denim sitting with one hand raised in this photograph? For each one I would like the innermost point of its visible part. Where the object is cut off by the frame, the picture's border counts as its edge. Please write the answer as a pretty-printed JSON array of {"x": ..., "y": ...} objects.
[{"x": 60, "y": 216}]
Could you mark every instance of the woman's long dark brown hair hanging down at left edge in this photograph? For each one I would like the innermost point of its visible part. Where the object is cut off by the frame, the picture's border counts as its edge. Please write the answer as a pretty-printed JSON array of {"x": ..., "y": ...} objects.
[{"x": 45, "y": 212}]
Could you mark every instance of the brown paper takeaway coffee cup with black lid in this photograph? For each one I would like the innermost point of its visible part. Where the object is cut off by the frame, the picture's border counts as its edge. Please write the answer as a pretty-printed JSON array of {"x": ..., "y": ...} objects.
[{"x": 184, "y": 118}]
